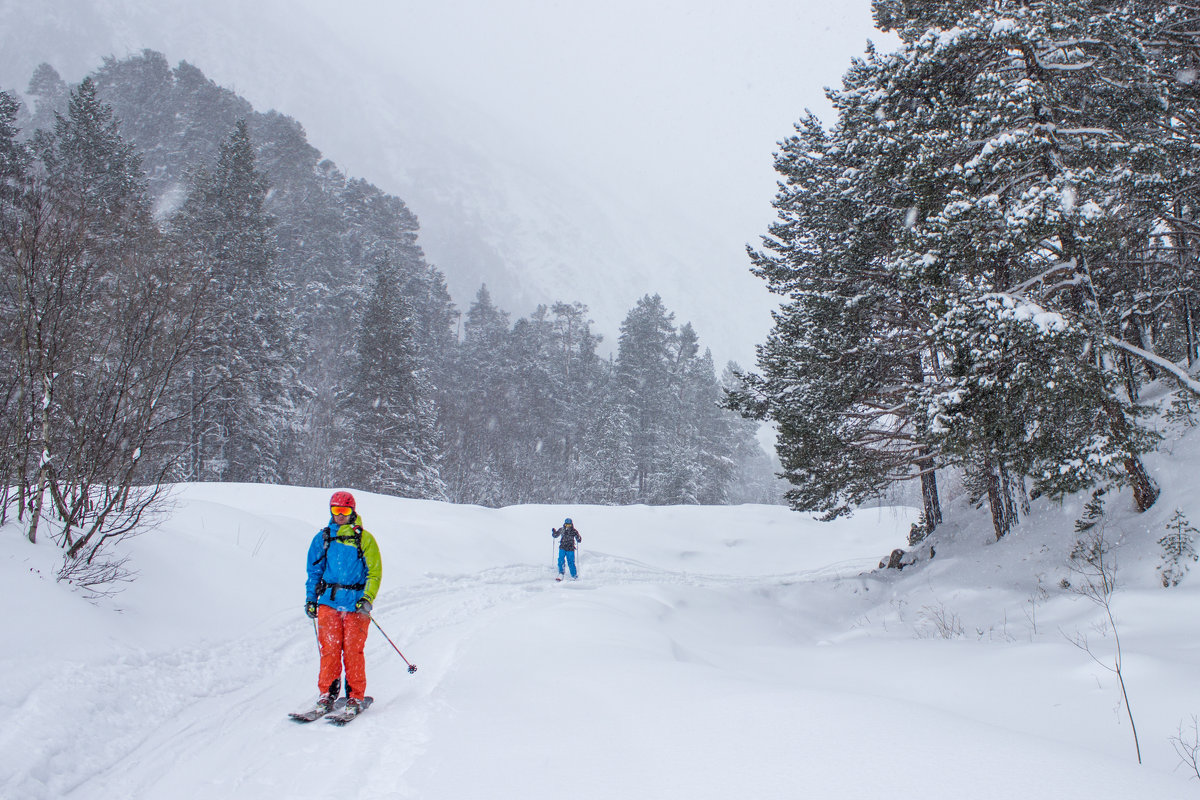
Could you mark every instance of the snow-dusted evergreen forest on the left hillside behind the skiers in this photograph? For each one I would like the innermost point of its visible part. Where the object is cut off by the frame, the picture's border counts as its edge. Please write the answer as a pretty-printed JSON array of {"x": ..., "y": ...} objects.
[{"x": 193, "y": 293}]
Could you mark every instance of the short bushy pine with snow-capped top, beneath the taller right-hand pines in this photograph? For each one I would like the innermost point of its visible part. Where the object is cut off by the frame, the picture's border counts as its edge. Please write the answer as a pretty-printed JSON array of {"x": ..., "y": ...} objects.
[{"x": 1016, "y": 401}]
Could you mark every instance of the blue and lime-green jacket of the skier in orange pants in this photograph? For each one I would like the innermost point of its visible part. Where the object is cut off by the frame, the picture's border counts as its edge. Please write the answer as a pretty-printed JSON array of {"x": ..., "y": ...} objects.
[{"x": 344, "y": 566}]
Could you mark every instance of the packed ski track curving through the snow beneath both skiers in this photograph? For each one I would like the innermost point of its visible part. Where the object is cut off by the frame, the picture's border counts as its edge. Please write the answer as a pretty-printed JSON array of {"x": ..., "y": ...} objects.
[{"x": 157, "y": 717}]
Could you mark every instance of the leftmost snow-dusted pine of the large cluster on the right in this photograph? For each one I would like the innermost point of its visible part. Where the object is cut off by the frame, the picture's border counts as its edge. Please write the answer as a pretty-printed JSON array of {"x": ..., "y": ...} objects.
[{"x": 851, "y": 342}]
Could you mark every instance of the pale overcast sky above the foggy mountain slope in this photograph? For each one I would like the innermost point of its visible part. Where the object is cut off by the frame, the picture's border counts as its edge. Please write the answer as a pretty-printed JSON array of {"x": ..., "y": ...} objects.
[{"x": 685, "y": 101}]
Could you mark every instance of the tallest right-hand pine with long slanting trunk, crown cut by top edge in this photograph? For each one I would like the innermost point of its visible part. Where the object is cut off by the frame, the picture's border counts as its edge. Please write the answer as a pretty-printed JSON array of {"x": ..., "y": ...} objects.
[{"x": 1027, "y": 123}]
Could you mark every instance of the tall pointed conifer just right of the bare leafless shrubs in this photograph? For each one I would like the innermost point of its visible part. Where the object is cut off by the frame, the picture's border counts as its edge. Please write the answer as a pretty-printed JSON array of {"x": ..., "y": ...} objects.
[{"x": 244, "y": 374}]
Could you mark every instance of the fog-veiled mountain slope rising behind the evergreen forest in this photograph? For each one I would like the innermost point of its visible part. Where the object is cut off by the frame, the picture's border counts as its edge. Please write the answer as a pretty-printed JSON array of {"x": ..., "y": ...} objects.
[{"x": 521, "y": 222}]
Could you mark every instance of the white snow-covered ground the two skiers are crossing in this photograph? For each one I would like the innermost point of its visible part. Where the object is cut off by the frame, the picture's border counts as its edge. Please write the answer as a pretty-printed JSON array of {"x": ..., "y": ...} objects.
[{"x": 705, "y": 653}]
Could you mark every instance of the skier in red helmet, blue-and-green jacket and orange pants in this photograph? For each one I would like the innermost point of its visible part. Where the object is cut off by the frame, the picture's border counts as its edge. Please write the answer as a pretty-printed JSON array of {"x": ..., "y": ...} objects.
[{"x": 345, "y": 570}]
